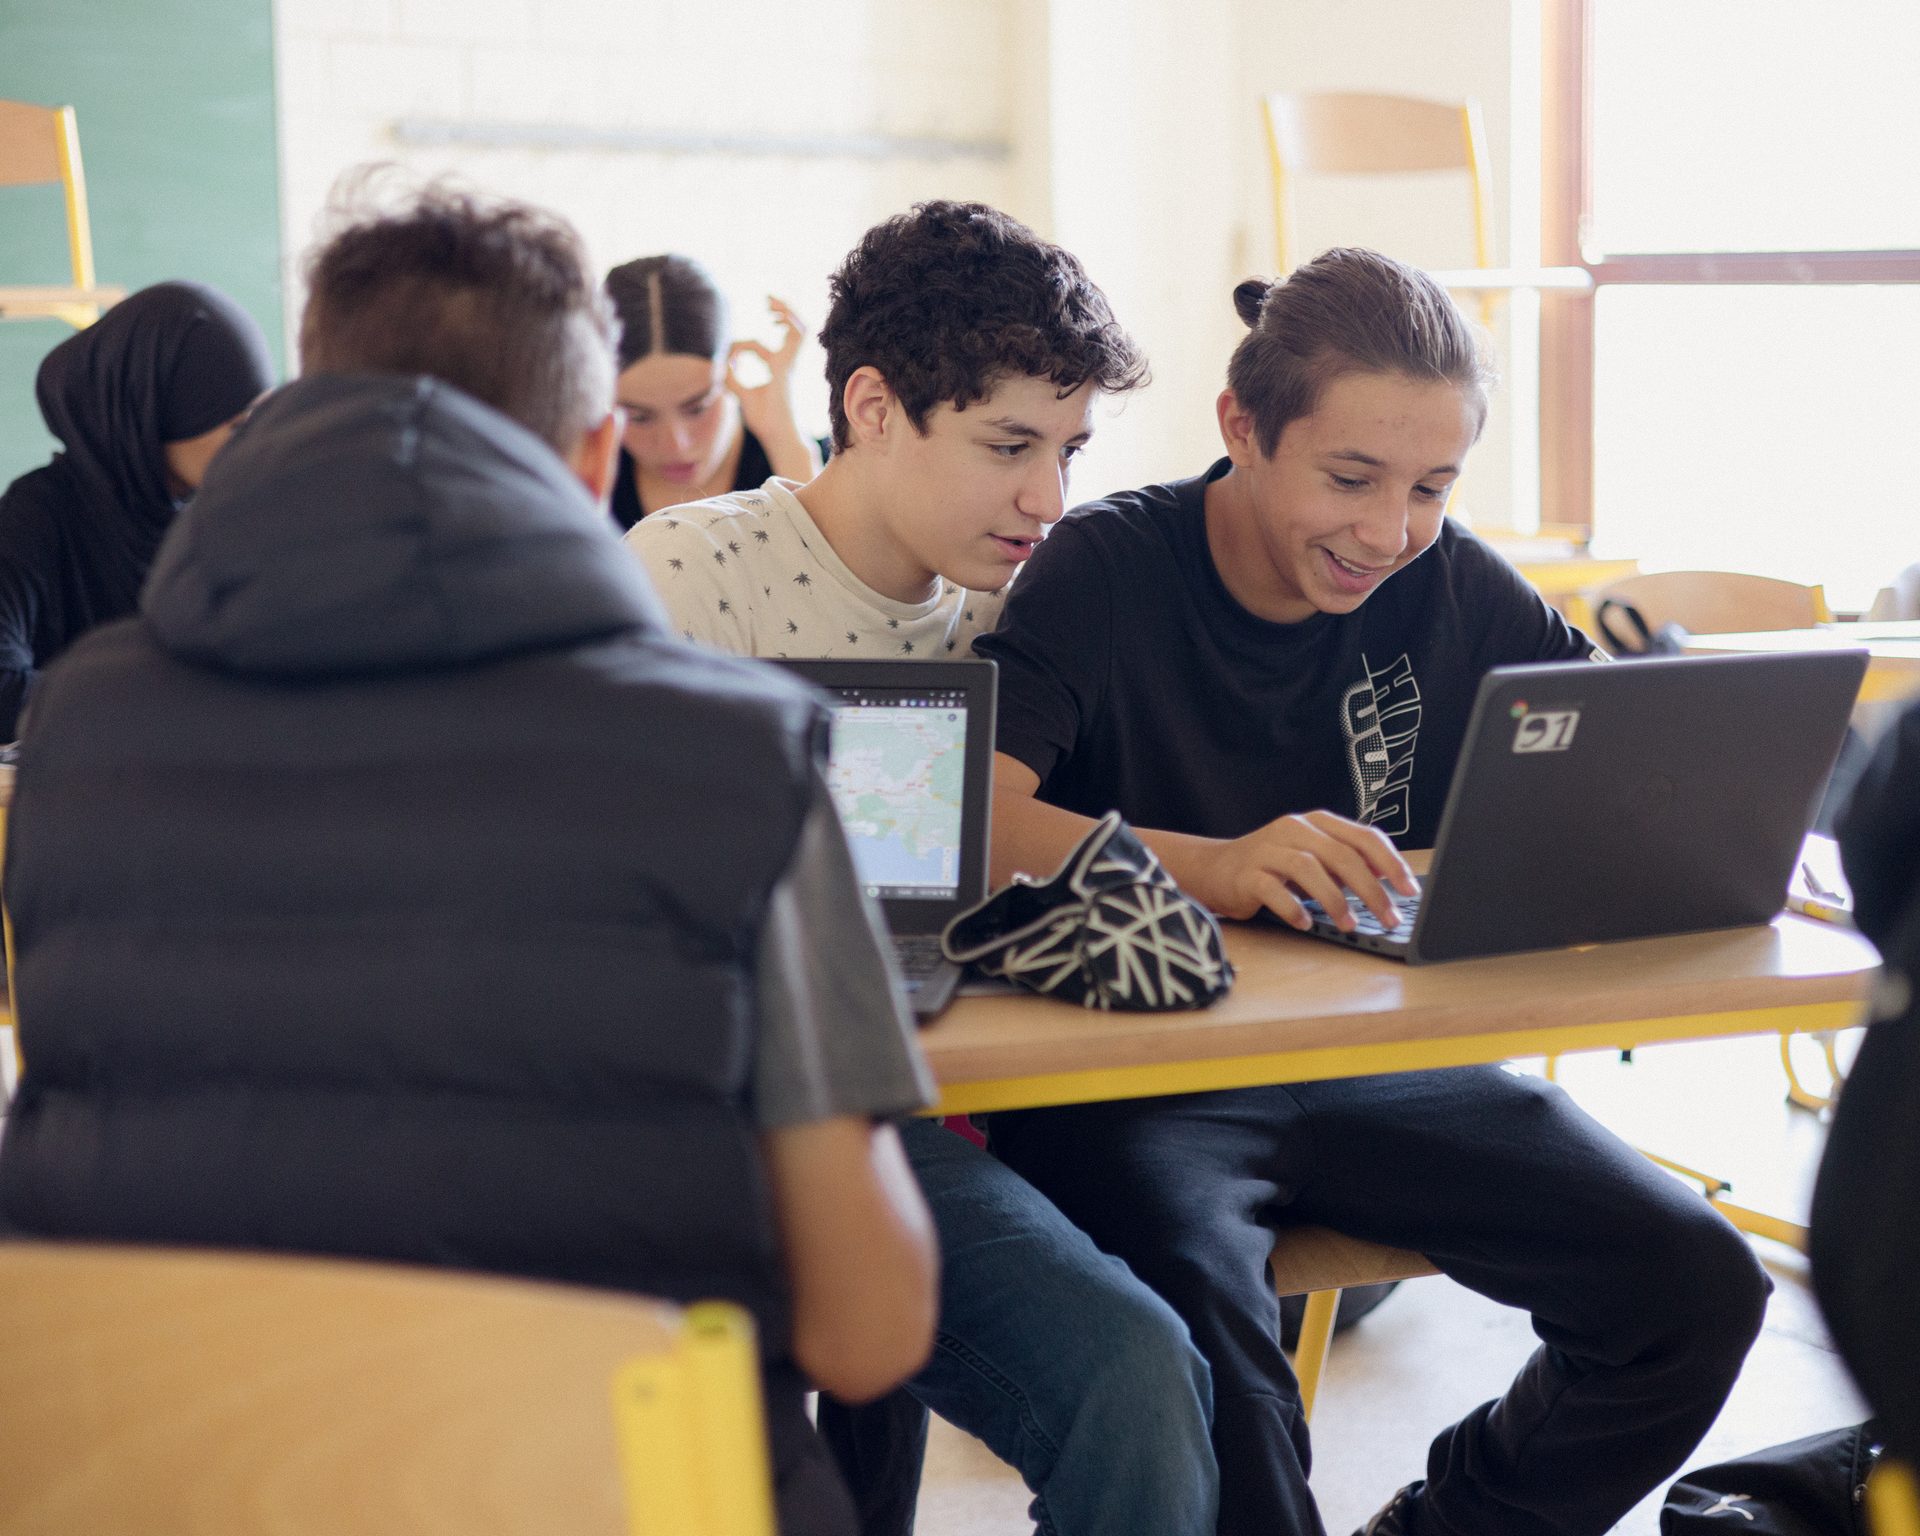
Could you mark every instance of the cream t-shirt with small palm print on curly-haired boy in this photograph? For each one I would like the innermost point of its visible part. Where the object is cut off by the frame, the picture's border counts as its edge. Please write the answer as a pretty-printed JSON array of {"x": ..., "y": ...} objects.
[{"x": 754, "y": 575}]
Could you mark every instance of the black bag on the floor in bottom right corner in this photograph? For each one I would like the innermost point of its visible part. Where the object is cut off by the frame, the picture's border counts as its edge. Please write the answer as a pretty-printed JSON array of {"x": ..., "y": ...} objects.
[{"x": 1813, "y": 1487}]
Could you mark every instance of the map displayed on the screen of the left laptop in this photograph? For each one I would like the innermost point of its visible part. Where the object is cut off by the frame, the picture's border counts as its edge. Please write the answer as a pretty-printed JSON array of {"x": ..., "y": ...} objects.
[{"x": 898, "y": 771}]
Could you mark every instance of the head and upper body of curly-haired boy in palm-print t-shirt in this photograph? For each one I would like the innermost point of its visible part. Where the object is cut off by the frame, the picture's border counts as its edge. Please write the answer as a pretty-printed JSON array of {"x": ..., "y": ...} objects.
[{"x": 957, "y": 410}]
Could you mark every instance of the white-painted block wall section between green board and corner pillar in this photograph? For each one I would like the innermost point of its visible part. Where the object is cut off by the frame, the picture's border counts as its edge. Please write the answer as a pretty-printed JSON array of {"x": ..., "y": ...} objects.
[{"x": 350, "y": 72}]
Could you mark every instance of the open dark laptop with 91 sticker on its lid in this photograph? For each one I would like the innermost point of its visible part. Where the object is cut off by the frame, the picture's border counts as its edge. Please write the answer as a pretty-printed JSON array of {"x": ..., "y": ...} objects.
[{"x": 1623, "y": 802}]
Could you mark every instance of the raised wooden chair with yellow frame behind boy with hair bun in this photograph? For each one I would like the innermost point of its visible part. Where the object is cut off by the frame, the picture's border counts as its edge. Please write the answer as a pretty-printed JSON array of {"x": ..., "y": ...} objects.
[{"x": 1339, "y": 133}]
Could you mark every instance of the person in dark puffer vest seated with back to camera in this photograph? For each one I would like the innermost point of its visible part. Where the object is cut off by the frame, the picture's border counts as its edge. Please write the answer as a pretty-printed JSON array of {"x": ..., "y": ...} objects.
[{"x": 396, "y": 888}]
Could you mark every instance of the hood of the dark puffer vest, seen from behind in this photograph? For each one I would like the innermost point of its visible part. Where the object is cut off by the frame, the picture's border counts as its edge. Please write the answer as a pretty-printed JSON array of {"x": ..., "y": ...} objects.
[{"x": 364, "y": 525}]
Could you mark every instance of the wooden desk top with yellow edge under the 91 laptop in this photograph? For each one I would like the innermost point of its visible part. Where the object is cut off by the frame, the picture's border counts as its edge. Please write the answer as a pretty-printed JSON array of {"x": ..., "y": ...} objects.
[{"x": 1305, "y": 1009}]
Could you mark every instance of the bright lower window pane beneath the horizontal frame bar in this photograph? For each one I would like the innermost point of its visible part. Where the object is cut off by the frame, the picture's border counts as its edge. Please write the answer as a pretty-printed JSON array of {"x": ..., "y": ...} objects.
[{"x": 1762, "y": 429}]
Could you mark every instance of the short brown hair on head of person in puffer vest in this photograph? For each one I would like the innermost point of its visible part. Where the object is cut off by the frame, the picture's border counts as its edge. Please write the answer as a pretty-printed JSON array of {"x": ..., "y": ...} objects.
[{"x": 489, "y": 295}]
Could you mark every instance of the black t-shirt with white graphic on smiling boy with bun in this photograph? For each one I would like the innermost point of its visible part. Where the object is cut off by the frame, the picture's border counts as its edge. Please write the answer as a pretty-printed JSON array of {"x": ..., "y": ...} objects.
[{"x": 1134, "y": 681}]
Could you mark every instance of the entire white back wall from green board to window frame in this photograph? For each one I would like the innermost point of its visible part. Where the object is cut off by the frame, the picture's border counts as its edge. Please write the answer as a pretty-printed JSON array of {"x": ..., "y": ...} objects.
[{"x": 1132, "y": 130}]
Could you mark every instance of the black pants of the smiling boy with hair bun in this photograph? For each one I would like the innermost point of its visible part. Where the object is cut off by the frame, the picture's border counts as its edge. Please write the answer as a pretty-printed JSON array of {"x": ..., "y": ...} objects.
[{"x": 1646, "y": 1301}]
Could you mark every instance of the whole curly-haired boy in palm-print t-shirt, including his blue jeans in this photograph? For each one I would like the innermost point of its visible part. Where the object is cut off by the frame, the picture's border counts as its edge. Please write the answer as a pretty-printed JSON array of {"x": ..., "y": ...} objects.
[{"x": 965, "y": 356}]
